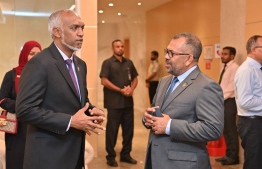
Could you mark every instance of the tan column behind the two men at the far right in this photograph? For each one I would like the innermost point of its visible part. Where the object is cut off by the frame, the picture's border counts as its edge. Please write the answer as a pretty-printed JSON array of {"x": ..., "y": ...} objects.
[{"x": 232, "y": 33}]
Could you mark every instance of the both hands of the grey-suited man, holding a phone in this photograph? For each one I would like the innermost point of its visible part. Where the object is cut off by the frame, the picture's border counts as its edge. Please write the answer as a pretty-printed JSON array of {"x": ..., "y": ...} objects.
[{"x": 157, "y": 124}]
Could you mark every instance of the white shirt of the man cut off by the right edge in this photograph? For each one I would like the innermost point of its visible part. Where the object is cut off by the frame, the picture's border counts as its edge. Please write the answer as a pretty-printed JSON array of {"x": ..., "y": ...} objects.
[{"x": 248, "y": 88}]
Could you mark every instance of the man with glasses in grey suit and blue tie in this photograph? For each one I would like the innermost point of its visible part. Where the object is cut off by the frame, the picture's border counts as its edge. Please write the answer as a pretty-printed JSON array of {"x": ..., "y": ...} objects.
[{"x": 192, "y": 113}]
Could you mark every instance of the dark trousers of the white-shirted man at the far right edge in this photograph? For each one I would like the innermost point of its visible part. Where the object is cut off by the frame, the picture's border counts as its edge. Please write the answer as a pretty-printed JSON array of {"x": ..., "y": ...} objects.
[{"x": 250, "y": 132}]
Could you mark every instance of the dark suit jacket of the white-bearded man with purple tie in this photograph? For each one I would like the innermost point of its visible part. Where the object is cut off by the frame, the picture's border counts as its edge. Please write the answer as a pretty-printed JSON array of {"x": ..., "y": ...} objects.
[{"x": 46, "y": 101}]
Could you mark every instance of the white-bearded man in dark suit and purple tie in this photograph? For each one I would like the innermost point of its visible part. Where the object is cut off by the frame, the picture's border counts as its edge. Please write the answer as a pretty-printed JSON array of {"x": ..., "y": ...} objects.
[{"x": 53, "y": 99}]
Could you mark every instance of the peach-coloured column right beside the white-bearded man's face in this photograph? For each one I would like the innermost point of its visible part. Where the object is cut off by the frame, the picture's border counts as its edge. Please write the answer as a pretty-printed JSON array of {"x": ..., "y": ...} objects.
[{"x": 87, "y": 9}]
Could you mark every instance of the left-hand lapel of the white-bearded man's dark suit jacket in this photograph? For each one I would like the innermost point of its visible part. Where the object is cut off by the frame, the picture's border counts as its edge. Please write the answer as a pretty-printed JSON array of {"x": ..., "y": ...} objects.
[{"x": 61, "y": 65}]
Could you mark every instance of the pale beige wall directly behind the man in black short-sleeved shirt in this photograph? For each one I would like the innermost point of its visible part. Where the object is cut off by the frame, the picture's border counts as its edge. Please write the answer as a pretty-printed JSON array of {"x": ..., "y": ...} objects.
[{"x": 134, "y": 29}]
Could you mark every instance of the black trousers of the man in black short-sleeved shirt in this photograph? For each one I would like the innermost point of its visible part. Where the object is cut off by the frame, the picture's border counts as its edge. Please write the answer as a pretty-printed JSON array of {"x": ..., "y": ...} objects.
[{"x": 115, "y": 118}]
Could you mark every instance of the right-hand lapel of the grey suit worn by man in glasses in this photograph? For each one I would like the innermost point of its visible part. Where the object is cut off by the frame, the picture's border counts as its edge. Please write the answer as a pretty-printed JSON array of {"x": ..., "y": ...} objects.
[{"x": 180, "y": 88}]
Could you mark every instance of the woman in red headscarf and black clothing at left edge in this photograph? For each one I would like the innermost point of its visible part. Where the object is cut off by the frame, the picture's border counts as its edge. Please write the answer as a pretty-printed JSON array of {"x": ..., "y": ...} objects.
[{"x": 15, "y": 143}]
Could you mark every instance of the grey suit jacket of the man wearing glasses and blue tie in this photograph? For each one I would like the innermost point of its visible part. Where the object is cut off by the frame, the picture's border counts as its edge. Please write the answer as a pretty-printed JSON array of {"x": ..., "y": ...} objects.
[{"x": 196, "y": 108}]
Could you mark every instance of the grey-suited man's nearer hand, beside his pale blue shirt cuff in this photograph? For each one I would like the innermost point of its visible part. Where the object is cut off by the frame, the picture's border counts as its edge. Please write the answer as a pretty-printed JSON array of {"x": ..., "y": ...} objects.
[{"x": 159, "y": 124}]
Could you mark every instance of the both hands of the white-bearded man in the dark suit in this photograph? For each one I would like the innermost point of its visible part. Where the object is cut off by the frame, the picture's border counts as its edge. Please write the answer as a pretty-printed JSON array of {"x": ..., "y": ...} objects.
[{"x": 88, "y": 123}]
